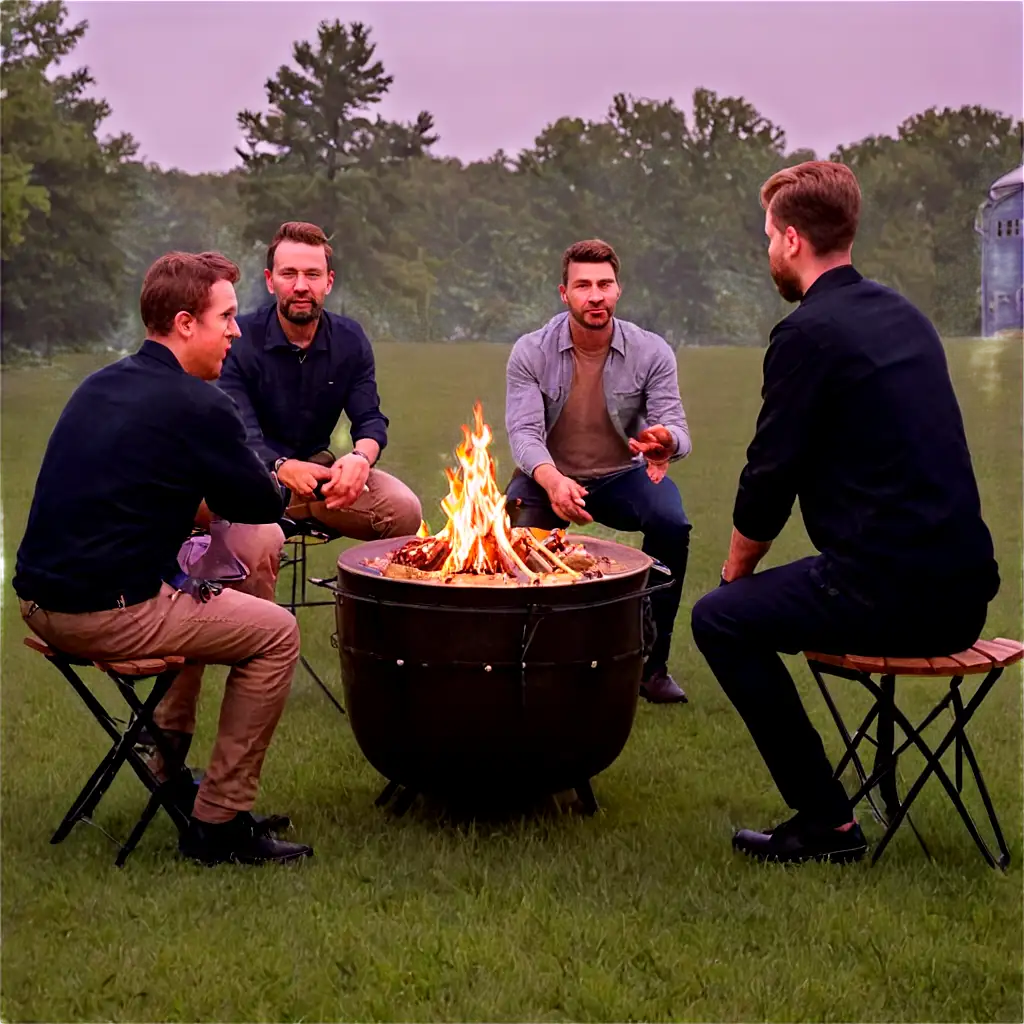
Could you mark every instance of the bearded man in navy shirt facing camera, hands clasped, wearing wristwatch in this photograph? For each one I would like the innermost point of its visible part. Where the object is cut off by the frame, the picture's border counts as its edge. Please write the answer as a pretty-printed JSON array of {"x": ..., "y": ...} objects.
[{"x": 292, "y": 373}]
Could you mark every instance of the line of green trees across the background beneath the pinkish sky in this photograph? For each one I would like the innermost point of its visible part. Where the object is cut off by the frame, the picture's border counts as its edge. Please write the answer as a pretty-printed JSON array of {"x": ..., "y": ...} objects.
[{"x": 429, "y": 248}]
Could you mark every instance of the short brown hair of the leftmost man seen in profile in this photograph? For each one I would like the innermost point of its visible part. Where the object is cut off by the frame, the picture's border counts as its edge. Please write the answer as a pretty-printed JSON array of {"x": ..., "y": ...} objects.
[{"x": 182, "y": 282}]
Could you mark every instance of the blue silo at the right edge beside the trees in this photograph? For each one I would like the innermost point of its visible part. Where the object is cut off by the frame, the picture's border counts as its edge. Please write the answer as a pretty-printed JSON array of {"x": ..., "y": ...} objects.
[{"x": 999, "y": 224}]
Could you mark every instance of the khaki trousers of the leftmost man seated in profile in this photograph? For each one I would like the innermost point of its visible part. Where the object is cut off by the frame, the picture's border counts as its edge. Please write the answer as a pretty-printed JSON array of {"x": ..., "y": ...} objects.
[{"x": 258, "y": 638}]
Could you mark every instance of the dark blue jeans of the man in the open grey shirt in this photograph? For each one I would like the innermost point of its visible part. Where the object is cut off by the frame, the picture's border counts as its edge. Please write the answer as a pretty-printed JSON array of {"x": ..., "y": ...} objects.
[{"x": 627, "y": 502}]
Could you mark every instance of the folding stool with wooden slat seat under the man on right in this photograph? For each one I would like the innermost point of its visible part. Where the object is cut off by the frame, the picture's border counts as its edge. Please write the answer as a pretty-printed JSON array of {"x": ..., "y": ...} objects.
[{"x": 987, "y": 658}]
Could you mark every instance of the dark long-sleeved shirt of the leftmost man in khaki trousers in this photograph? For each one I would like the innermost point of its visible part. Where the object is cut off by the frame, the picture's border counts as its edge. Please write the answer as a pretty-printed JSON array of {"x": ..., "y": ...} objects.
[{"x": 137, "y": 449}]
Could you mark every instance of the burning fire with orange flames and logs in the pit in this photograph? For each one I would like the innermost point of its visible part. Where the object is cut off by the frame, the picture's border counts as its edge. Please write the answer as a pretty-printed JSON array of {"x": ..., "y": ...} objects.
[{"x": 479, "y": 539}]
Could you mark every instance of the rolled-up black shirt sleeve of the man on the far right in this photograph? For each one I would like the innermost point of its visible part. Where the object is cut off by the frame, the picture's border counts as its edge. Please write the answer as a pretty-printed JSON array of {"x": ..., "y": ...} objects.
[{"x": 794, "y": 371}]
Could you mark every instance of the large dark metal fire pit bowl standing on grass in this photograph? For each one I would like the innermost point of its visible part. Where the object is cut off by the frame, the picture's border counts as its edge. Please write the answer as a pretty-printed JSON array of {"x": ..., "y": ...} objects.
[{"x": 498, "y": 693}]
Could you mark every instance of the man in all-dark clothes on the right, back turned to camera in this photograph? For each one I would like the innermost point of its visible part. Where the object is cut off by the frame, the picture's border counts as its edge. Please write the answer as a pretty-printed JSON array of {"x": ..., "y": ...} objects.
[{"x": 861, "y": 423}]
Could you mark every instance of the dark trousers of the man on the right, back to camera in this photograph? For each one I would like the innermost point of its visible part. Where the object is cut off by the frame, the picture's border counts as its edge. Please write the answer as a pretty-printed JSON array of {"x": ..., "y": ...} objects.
[{"x": 741, "y": 627}]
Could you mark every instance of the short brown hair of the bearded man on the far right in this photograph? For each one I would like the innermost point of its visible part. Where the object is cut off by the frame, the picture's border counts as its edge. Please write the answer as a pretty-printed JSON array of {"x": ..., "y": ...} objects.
[{"x": 820, "y": 199}]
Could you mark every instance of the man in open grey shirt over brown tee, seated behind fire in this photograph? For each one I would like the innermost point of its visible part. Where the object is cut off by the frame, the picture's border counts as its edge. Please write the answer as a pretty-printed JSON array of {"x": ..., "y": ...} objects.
[{"x": 580, "y": 394}]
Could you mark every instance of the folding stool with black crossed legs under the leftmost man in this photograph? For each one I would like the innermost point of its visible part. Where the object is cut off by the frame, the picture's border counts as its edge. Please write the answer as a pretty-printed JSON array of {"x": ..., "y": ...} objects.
[{"x": 126, "y": 675}]
